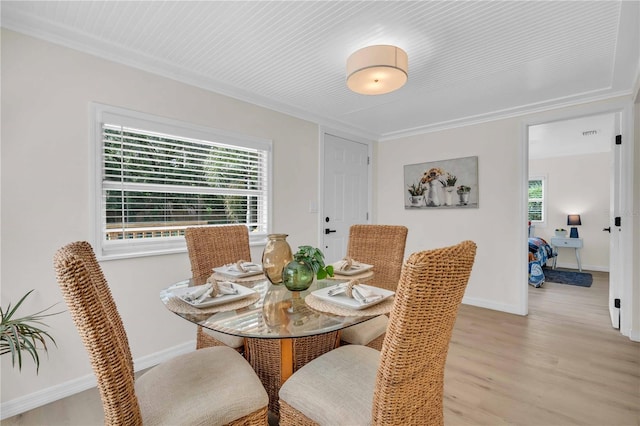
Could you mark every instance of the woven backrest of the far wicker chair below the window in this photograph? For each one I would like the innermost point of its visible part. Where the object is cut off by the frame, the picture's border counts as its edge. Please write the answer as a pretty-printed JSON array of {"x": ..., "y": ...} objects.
[{"x": 213, "y": 246}]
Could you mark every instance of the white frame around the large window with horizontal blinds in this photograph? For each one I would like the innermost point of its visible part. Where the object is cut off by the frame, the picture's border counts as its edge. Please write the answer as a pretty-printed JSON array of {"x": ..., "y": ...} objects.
[{"x": 138, "y": 247}]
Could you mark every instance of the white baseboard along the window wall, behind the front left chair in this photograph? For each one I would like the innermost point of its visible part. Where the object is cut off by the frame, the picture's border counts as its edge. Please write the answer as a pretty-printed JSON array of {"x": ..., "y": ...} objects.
[{"x": 72, "y": 387}]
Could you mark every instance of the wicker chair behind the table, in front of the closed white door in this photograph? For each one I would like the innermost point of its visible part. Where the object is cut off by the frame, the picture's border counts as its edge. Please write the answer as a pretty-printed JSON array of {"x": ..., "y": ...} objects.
[{"x": 383, "y": 247}]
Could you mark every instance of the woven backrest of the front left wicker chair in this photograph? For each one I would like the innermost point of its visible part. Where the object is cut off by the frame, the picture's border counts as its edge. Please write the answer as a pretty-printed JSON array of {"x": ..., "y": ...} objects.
[{"x": 94, "y": 313}]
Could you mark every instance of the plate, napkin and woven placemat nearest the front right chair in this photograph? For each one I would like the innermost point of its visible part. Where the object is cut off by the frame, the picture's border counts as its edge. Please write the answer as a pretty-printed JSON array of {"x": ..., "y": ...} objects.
[{"x": 351, "y": 298}]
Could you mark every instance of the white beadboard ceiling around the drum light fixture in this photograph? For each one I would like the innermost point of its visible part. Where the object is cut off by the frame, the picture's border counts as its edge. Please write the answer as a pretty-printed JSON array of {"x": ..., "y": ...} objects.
[{"x": 468, "y": 61}]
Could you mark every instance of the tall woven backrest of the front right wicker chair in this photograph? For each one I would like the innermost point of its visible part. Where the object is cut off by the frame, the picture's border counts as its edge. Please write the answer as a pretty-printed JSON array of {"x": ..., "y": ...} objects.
[{"x": 415, "y": 348}]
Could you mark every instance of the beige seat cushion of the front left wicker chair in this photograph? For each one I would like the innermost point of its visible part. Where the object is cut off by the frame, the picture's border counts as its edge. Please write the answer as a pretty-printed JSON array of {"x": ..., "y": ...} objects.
[{"x": 209, "y": 386}]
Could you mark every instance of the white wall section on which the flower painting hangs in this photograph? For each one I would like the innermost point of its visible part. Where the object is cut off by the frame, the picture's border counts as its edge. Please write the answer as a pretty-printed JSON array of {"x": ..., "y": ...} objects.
[{"x": 497, "y": 275}]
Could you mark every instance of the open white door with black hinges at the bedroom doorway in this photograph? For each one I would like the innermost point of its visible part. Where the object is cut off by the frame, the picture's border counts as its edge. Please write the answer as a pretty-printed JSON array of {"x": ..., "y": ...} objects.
[{"x": 615, "y": 257}]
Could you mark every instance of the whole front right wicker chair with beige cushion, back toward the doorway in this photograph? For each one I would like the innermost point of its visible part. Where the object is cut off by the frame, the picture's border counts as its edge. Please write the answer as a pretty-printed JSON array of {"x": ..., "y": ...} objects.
[{"x": 404, "y": 383}]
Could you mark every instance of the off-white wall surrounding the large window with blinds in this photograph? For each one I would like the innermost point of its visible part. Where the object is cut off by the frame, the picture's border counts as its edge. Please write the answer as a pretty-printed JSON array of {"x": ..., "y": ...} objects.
[{"x": 46, "y": 91}]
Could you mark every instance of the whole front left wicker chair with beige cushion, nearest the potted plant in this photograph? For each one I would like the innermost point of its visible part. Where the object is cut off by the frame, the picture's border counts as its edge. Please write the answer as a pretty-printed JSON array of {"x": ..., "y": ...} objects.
[{"x": 211, "y": 386}]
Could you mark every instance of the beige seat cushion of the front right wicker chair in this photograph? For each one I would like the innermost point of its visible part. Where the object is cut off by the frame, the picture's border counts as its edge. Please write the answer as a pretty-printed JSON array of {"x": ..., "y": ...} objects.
[{"x": 335, "y": 388}]
